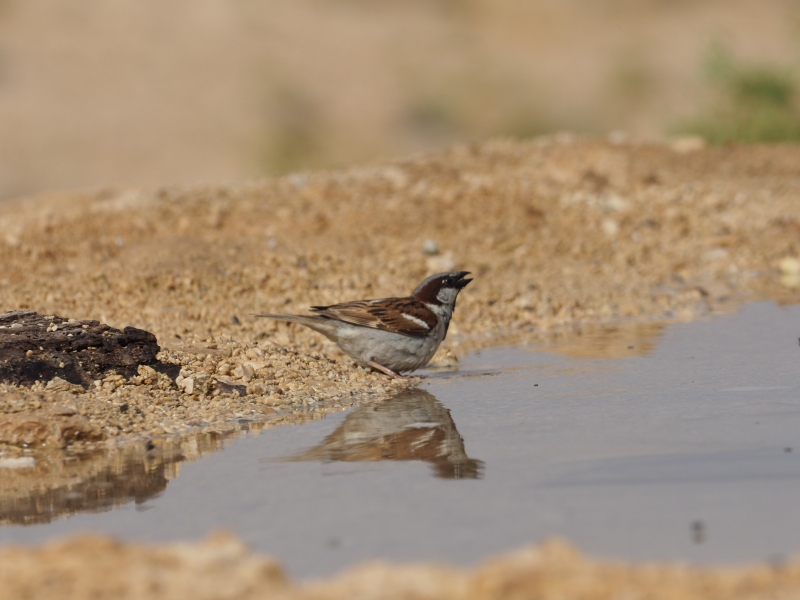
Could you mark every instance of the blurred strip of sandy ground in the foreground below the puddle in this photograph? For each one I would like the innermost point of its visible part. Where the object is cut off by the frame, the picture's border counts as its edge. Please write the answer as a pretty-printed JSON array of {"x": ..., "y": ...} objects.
[{"x": 222, "y": 568}]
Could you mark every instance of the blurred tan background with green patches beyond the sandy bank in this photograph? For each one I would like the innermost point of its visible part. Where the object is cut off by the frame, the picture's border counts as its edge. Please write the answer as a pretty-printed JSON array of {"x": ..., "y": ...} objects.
[{"x": 121, "y": 93}]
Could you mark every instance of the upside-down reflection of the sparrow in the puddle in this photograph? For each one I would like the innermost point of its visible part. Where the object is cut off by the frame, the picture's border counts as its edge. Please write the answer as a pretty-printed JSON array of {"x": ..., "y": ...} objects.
[{"x": 412, "y": 425}]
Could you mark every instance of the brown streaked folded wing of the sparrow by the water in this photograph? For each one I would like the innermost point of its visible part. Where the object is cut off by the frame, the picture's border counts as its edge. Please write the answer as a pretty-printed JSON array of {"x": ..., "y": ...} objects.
[{"x": 386, "y": 314}]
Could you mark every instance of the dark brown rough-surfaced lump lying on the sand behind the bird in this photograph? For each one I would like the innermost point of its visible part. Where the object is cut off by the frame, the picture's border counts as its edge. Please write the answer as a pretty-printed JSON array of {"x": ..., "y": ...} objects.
[{"x": 37, "y": 348}]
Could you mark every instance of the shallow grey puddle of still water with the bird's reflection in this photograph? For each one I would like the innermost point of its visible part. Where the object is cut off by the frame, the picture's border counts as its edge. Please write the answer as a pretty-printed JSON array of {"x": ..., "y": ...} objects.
[{"x": 681, "y": 442}]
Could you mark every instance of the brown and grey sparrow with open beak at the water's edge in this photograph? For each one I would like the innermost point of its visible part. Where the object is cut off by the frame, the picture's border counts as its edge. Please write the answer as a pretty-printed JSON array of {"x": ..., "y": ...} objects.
[{"x": 391, "y": 335}]
